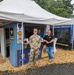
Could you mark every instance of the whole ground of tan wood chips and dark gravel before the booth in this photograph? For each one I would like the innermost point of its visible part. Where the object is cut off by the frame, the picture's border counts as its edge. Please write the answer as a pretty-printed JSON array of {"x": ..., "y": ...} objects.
[{"x": 63, "y": 64}]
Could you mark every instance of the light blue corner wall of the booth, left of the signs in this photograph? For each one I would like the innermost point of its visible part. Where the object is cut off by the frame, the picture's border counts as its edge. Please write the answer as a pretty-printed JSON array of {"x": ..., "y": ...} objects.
[{"x": 14, "y": 47}]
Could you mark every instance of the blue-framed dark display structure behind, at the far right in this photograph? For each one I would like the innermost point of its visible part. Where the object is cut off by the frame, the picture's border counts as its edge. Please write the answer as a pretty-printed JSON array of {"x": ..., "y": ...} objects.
[{"x": 64, "y": 33}]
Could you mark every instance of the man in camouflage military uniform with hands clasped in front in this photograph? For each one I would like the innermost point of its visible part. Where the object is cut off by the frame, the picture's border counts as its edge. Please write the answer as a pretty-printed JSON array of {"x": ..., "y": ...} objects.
[{"x": 35, "y": 43}]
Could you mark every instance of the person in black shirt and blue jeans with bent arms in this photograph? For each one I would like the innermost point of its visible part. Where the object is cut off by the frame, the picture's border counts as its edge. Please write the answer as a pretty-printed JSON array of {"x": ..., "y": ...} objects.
[{"x": 49, "y": 39}]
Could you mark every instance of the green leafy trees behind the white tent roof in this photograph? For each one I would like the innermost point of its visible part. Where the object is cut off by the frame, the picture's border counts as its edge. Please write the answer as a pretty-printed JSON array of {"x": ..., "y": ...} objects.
[{"x": 59, "y": 7}]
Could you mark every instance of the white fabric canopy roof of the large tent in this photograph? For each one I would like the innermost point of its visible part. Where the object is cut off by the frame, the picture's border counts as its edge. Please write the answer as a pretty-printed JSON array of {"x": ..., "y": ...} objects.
[{"x": 30, "y": 12}]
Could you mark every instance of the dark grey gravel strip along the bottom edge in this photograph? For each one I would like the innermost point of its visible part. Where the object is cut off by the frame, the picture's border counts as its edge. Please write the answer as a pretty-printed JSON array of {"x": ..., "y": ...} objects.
[{"x": 53, "y": 69}]
